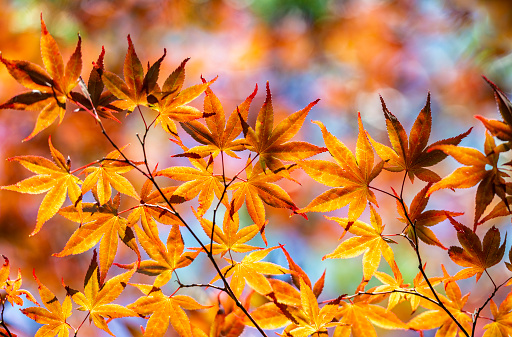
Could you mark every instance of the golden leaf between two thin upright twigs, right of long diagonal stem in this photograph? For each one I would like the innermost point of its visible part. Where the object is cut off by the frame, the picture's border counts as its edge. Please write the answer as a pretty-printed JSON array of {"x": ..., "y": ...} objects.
[{"x": 199, "y": 180}]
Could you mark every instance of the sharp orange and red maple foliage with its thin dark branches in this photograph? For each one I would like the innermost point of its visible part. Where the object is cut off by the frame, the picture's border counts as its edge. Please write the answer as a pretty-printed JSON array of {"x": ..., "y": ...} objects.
[{"x": 266, "y": 155}]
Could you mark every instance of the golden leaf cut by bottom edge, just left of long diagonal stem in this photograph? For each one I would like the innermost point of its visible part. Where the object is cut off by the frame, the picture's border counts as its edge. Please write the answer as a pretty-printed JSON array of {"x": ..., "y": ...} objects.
[{"x": 164, "y": 309}]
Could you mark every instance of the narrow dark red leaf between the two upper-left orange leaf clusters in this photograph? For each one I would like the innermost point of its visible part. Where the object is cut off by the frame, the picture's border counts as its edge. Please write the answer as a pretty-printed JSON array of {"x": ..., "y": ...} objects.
[{"x": 94, "y": 98}]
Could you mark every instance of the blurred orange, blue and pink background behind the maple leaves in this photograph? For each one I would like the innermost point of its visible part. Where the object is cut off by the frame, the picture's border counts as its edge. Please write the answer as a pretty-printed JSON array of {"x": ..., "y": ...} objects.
[{"x": 345, "y": 52}]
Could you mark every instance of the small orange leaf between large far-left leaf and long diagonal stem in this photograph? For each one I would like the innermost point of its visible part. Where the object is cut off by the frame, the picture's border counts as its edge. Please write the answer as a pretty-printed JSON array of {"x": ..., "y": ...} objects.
[{"x": 108, "y": 175}]
